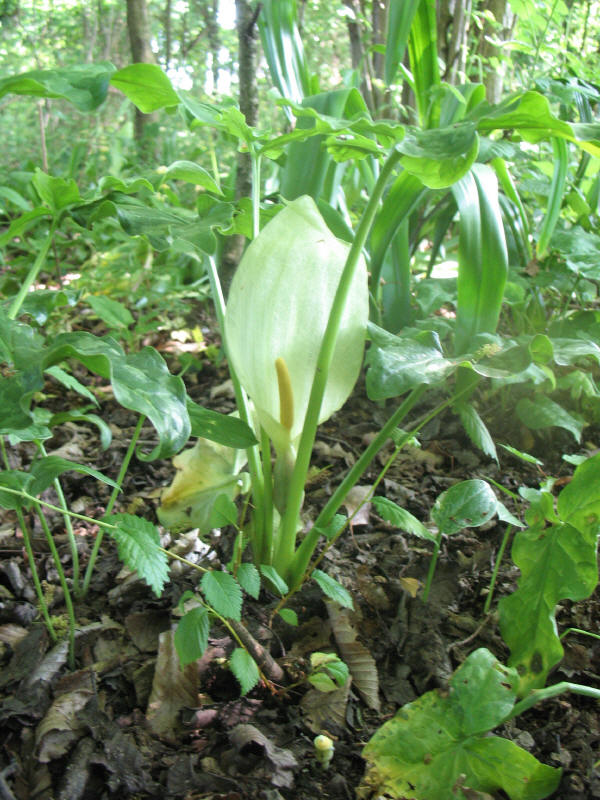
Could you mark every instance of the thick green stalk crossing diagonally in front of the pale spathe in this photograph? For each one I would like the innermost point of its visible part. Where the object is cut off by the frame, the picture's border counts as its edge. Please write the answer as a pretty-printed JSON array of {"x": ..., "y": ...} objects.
[{"x": 287, "y": 538}]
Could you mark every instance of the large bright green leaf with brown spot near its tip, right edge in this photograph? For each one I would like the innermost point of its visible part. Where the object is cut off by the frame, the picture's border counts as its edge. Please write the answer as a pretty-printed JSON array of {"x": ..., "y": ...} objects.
[{"x": 556, "y": 563}]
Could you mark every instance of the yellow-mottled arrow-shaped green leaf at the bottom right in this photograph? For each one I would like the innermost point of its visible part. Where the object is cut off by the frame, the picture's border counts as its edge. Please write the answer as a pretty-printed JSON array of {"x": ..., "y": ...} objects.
[{"x": 439, "y": 744}]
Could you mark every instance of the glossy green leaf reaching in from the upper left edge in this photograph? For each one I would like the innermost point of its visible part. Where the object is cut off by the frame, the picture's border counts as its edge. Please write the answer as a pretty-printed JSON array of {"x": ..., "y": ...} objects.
[{"x": 85, "y": 85}]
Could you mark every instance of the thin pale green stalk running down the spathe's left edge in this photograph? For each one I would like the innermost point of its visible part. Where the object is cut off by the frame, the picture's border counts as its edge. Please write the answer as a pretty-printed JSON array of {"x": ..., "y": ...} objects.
[{"x": 252, "y": 453}]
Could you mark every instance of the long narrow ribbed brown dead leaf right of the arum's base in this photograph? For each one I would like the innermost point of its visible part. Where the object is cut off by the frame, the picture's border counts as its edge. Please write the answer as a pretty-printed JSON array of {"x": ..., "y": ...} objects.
[{"x": 360, "y": 662}]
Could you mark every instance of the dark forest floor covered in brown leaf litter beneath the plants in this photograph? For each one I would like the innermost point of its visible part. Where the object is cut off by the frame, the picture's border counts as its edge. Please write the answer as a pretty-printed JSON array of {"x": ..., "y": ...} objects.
[{"x": 129, "y": 723}]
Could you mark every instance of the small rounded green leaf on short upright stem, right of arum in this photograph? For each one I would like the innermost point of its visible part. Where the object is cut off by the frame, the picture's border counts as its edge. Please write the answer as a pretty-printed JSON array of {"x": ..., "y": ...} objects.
[{"x": 467, "y": 504}]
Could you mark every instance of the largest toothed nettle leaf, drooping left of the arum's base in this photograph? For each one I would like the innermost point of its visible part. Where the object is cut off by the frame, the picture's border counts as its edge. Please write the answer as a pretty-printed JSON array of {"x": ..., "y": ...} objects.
[{"x": 138, "y": 545}]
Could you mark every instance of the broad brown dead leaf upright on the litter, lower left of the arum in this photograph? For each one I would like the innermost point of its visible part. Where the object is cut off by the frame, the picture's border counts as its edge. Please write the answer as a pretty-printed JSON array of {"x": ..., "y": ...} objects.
[{"x": 173, "y": 688}]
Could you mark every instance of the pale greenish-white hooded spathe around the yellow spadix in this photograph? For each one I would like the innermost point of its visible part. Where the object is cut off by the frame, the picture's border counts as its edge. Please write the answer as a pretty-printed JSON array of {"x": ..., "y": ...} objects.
[{"x": 278, "y": 307}]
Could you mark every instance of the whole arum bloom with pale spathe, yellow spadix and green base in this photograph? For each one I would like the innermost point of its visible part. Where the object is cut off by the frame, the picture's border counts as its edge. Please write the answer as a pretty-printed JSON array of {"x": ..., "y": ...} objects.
[{"x": 278, "y": 313}]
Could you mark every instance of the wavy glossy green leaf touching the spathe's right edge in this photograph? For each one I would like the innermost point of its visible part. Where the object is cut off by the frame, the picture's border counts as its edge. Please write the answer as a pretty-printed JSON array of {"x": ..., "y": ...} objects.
[{"x": 397, "y": 364}]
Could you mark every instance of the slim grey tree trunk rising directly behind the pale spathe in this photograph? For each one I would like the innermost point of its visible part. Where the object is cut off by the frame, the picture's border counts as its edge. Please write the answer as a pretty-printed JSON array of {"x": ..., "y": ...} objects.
[{"x": 248, "y": 100}]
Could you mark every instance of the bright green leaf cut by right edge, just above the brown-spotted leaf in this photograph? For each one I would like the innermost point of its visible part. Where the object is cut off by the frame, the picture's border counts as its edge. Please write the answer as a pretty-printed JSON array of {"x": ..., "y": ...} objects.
[{"x": 579, "y": 501}]
